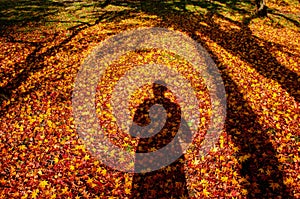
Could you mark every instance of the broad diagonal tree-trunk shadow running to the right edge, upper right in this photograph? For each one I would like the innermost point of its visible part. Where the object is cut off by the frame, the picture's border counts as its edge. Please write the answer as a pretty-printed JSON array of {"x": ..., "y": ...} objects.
[{"x": 237, "y": 42}]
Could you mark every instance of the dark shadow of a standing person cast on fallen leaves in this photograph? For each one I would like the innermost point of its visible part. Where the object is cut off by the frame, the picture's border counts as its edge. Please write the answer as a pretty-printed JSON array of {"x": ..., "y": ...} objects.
[{"x": 168, "y": 181}]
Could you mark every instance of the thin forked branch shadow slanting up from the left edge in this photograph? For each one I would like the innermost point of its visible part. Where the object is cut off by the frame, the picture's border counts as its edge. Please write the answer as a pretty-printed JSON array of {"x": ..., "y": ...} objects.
[{"x": 35, "y": 61}]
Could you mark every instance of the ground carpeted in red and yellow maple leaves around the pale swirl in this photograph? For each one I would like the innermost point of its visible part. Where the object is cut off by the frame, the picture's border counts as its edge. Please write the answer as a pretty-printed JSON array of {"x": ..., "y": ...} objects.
[{"x": 43, "y": 45}]
